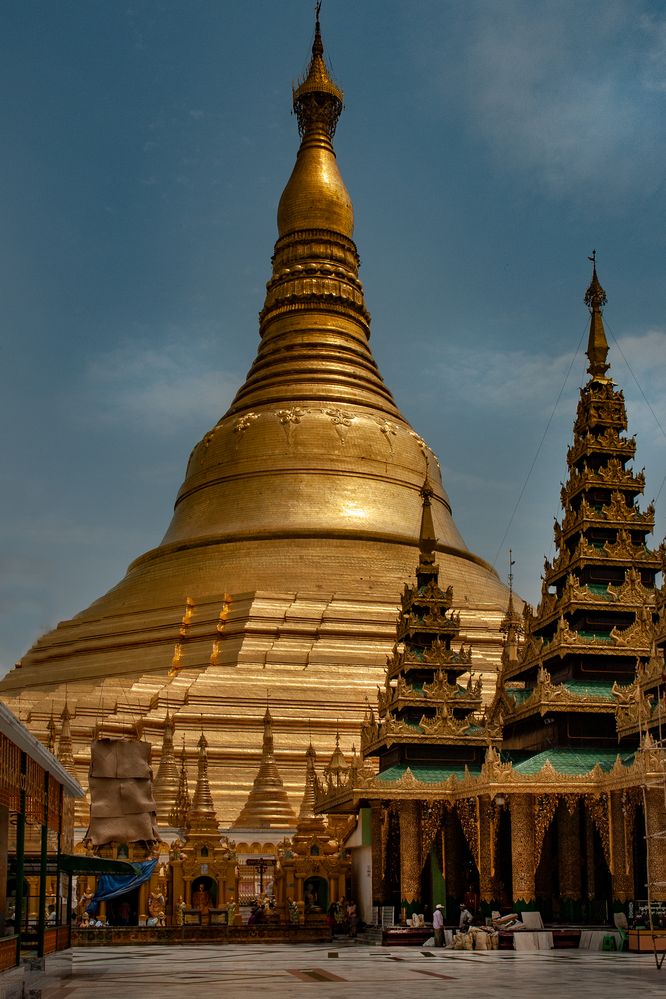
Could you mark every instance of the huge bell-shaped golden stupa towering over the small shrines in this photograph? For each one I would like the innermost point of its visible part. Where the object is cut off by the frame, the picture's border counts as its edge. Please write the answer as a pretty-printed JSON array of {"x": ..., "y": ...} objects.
[{"x": 292, "y": 536}]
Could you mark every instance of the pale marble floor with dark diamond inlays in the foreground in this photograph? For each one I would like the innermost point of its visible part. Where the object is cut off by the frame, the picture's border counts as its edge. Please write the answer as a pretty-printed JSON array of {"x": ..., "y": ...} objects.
[{"x": 341, "y": 970}]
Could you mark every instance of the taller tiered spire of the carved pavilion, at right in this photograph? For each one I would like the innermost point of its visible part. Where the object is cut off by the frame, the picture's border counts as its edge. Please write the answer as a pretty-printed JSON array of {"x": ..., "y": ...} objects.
[{"x": 598, "y": 600}]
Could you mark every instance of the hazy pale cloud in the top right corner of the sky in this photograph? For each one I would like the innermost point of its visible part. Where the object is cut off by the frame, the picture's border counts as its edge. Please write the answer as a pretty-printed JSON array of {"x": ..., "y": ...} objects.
[{"x": 568, "y": 93}]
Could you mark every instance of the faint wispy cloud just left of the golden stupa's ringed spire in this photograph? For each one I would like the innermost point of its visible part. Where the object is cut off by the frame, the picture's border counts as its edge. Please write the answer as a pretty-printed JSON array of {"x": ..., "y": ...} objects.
[{"x": 157, "y": 386}]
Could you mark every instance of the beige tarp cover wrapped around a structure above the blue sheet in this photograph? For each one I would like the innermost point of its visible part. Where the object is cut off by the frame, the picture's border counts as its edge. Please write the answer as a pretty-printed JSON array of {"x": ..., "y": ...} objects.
[{"x": 122, "y": 807}]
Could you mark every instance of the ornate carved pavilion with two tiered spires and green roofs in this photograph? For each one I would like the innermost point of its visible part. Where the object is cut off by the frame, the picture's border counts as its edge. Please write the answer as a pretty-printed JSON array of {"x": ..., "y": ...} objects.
[{"x": 541, "y": 803}]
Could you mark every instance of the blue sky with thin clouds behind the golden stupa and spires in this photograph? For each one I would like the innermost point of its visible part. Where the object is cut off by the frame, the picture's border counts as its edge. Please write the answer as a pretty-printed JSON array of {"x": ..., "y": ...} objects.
[{"x": 487, "y": 146}]
